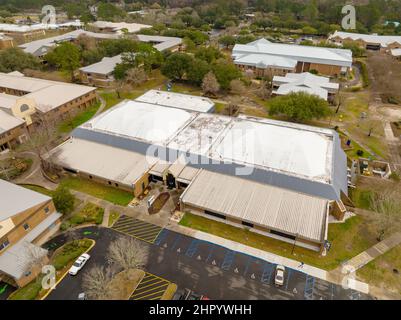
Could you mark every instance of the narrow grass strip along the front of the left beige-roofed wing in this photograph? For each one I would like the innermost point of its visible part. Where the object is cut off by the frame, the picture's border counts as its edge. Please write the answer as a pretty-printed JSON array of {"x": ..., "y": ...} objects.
[{"x": 113, "y": 195}]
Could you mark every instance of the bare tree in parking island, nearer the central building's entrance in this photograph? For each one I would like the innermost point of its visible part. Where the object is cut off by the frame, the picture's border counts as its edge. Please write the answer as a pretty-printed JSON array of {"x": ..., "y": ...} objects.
[{"x": 127, "y": 253}]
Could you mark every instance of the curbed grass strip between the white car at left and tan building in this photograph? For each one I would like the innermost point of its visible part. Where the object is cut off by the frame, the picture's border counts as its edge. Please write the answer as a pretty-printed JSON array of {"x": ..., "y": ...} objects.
[{"x": 61, "y": 259}]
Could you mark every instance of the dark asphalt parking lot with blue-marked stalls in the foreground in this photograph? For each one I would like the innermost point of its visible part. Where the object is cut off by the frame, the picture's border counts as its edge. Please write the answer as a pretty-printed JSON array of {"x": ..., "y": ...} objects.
[{"x": 206, "y": 268}]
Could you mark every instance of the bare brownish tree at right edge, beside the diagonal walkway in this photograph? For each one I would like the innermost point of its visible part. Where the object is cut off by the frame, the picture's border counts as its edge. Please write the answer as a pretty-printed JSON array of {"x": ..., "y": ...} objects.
[{"x": 387, "y": 207}]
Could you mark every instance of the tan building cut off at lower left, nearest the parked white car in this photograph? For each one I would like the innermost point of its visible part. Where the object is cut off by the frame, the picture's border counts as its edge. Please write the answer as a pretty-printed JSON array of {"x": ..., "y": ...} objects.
[{"x": 27, "y": 218}]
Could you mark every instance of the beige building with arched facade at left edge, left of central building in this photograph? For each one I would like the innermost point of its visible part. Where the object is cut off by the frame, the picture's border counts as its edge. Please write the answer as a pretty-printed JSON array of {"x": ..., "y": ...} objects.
[{"x": 24, "y": 101}]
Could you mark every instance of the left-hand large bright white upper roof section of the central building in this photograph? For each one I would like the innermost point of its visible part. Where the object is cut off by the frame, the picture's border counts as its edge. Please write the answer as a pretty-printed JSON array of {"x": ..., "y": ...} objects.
[{"x": 141, "y": 121}]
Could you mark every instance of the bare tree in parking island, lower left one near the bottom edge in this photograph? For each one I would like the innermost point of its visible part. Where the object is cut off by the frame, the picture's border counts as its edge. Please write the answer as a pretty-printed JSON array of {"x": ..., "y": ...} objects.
[{"x": 96, "y": 281}]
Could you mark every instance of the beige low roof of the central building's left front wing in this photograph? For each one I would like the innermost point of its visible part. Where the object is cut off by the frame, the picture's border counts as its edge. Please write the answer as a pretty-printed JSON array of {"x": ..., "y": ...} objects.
[{"x": 99, "y": 160}]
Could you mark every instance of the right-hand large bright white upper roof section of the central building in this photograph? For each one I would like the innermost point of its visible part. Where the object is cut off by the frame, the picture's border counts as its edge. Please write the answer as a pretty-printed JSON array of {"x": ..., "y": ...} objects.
[{"x": 274, "y": 146}]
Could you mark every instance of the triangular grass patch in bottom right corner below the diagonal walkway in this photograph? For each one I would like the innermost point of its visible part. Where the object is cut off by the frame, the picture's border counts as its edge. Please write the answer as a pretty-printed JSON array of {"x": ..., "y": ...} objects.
[{"x": 384, "y": 271}]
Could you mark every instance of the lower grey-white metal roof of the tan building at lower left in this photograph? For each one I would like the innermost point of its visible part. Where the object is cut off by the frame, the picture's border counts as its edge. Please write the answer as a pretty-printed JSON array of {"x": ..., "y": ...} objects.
[{"x": 16, "y": 259}]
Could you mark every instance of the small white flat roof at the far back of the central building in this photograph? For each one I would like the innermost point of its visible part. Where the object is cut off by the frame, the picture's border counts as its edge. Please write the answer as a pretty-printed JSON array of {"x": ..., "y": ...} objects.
[{"x": 177, "y": 100}]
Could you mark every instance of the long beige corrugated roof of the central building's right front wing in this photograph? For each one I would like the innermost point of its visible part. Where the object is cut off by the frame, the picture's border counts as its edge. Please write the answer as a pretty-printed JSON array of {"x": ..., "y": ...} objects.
[{"x": 293, "y": 213}]
